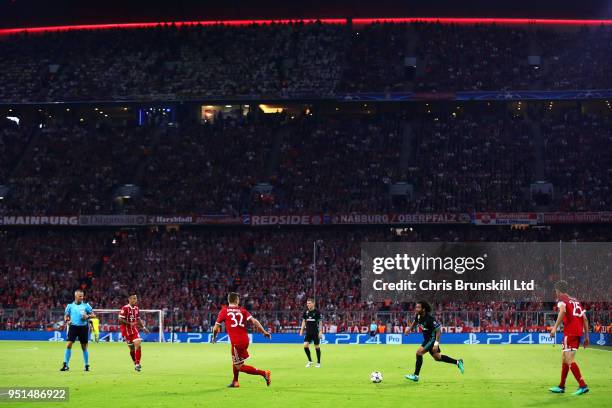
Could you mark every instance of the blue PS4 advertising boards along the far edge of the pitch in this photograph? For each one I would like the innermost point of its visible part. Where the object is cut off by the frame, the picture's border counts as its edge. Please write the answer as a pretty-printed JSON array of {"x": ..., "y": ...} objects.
[{"x": 597, "y": 339}]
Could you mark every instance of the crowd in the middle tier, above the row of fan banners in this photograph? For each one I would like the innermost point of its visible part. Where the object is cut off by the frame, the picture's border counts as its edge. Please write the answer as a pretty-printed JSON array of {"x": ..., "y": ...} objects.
[{"x": 313, "y": 164}]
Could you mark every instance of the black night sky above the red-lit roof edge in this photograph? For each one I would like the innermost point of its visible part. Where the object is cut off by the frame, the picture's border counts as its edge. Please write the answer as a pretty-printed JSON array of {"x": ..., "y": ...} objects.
[{"x": 30, "y": 13}]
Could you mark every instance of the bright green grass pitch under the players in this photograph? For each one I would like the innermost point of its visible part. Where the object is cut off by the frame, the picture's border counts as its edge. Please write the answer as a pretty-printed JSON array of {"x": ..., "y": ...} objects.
[{"x": 195, "y": 375}]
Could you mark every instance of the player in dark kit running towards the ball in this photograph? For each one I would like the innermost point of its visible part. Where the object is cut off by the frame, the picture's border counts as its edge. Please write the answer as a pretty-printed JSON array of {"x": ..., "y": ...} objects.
[{"x": 431, "y": 339}]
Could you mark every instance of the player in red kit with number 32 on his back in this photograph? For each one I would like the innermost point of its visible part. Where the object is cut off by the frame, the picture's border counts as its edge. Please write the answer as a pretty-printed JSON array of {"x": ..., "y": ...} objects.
[{"x": 235, "y": 318}]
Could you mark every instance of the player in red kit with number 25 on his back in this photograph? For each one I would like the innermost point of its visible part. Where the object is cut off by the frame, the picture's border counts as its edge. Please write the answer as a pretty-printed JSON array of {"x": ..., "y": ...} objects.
[{"x": 575, "y": 324}]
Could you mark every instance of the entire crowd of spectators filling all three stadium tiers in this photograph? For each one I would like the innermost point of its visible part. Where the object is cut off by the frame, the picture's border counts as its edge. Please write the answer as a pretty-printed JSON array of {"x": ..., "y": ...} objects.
[{"x": 314, "y": 163}]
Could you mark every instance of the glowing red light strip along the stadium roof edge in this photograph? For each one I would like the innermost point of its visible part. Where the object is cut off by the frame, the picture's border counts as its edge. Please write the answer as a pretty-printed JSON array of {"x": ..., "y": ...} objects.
[{"x": 357, "y": 21}]
